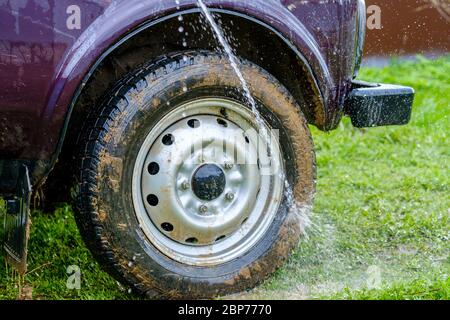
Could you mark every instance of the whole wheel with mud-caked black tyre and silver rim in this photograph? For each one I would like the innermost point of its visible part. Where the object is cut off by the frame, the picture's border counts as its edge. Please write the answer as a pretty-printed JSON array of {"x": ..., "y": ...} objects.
[{"x": 177, "y": 195}]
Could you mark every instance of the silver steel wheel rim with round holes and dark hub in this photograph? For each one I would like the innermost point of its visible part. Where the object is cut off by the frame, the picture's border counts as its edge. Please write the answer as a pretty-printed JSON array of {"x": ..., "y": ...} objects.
[{"x": 219, "y": 134}]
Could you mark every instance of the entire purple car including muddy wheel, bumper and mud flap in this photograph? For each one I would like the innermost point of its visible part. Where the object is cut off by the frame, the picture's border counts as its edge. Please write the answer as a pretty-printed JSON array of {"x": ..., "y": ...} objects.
[{"x": 178, "y": 129}]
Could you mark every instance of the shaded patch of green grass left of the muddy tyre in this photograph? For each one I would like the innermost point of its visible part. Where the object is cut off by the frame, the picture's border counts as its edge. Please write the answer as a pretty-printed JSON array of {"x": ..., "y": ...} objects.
[{"x": 55, "y": 244}]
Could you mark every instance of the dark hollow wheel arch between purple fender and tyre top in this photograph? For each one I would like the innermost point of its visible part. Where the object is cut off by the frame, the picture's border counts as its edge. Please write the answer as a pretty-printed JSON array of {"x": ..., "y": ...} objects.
[{"x": 285, "y": 61}]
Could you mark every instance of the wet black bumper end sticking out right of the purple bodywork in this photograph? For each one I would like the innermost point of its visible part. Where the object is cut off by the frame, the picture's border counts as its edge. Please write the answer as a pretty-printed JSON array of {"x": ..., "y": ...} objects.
[{"x": 373, "y": 105}]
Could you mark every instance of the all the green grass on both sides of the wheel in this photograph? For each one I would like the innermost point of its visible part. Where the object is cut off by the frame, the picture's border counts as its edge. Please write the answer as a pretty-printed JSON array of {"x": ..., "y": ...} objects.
[{"x": 381, "y": 220}]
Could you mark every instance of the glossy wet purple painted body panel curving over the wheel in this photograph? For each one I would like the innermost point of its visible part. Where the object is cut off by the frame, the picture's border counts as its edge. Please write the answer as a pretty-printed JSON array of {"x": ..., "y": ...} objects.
[{"x": 43, "y": 62}]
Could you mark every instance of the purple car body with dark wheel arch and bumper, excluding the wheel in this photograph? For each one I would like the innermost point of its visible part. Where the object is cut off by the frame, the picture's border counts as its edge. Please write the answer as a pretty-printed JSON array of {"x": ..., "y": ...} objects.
[{"x": 53, "y": 52}]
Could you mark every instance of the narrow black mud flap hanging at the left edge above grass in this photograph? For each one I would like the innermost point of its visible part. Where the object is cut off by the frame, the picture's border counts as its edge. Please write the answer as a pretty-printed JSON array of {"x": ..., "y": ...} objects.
[{"x": 17, "y": 223}]
